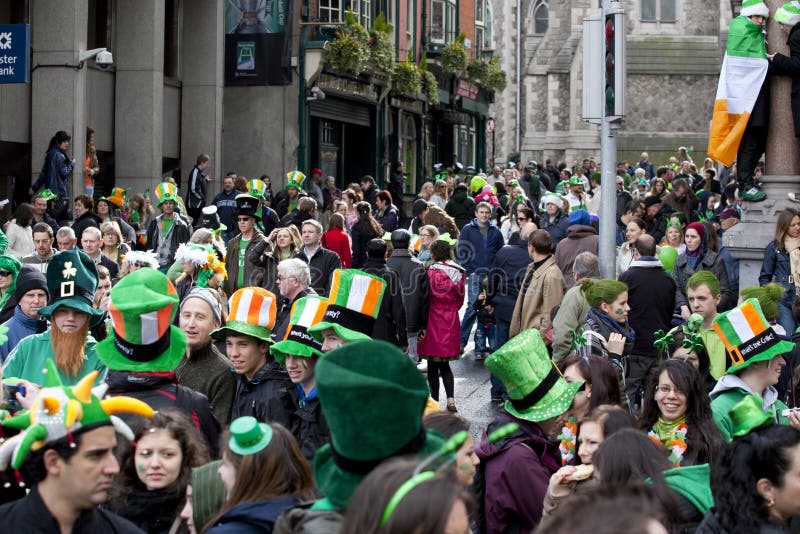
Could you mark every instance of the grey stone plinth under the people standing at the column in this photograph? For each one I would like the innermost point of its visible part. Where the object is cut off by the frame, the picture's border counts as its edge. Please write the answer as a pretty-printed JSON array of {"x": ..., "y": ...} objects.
[{"x": 747, "y": 240}]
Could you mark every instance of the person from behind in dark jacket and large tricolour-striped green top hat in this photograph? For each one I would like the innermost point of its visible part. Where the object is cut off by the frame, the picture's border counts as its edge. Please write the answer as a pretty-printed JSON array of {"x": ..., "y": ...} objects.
[{"x": 141, "y": 359}]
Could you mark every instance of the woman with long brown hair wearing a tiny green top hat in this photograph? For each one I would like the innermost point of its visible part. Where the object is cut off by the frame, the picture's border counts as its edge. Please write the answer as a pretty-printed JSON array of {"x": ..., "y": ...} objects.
[{"x": 263, "y": 472}]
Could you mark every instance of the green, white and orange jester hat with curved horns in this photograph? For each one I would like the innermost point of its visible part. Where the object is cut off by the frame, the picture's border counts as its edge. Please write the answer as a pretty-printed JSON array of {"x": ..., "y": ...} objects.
[{"x": 61, "y": 412}]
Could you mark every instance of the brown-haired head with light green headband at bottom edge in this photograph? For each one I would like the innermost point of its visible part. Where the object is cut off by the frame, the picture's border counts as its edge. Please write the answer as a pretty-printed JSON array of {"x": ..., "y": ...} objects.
[{"x": 392, "y": 500}]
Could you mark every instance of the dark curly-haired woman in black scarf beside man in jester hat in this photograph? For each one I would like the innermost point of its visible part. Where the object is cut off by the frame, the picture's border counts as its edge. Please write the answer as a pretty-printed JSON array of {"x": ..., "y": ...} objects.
[{"x": 155, "y": 469}]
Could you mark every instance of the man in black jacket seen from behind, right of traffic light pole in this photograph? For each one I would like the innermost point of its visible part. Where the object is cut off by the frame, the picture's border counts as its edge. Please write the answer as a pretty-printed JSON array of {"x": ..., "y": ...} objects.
[{"x": 651, "y": 296}]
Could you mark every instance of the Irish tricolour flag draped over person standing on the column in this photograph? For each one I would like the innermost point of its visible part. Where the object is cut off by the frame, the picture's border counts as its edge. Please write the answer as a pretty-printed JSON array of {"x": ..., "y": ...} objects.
[{"x": 743, "y": 71}]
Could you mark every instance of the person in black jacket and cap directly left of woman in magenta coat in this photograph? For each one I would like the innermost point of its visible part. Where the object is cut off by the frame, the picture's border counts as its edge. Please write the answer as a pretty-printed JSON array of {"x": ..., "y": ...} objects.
[{"x": 414, "y": 281}]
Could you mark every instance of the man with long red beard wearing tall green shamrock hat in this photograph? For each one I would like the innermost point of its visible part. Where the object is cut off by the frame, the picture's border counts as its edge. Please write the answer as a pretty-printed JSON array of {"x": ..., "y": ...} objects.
[{"x": 72, "y": 281}]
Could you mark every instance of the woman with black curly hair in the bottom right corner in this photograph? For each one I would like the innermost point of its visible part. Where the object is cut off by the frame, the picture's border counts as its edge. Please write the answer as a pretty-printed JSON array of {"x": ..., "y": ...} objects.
[{"x": 755, "y": 483}]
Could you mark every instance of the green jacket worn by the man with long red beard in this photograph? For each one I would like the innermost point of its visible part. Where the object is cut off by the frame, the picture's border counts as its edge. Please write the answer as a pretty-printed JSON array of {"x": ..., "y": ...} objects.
[{"x": 27, "y": 361}]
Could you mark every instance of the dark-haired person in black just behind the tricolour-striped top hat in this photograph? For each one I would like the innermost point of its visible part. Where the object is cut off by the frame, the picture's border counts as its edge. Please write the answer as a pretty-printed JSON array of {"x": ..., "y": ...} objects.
[{"x": 391, "y": 323}]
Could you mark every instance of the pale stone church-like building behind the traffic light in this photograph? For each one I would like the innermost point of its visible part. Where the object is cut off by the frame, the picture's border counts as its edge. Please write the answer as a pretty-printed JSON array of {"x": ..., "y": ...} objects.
[{"x": 674, "y": 53}]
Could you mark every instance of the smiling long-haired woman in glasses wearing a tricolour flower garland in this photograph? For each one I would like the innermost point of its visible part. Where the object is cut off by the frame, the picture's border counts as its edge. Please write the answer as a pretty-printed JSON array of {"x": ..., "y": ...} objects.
[{"x": 676, "y": 413}]
